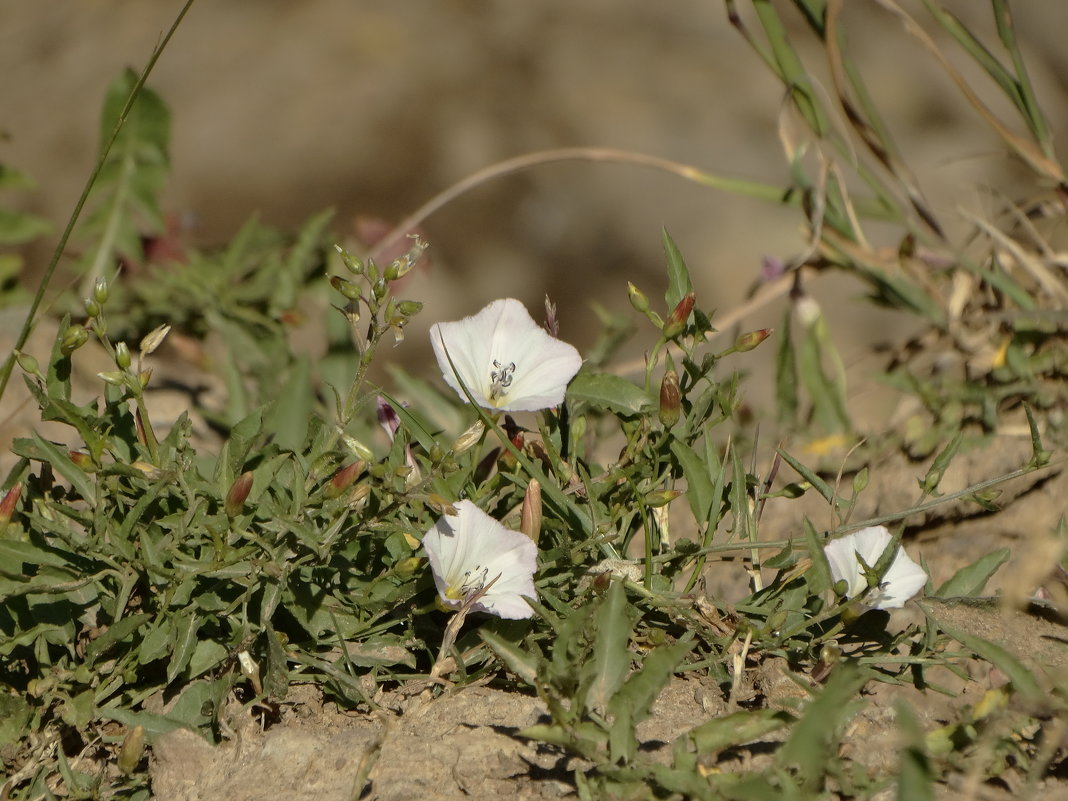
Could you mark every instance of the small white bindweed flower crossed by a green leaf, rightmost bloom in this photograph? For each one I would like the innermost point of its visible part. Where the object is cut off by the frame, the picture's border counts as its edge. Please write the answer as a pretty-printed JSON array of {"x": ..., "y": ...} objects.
[{"x": 903, "y": 579}]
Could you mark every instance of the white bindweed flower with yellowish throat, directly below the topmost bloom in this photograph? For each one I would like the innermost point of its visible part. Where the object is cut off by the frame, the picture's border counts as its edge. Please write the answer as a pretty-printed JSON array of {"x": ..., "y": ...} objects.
[{"x": 472, "y": 553}]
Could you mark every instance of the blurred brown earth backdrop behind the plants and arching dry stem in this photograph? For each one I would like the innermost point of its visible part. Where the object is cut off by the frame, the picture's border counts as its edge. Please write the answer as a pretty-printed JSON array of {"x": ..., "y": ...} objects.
[{"x": 285, "y": 107}]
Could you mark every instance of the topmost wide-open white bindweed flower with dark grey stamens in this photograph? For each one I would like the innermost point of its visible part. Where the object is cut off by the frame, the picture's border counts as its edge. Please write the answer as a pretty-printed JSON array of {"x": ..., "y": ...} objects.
[{"x": 505, "y": 358}]
